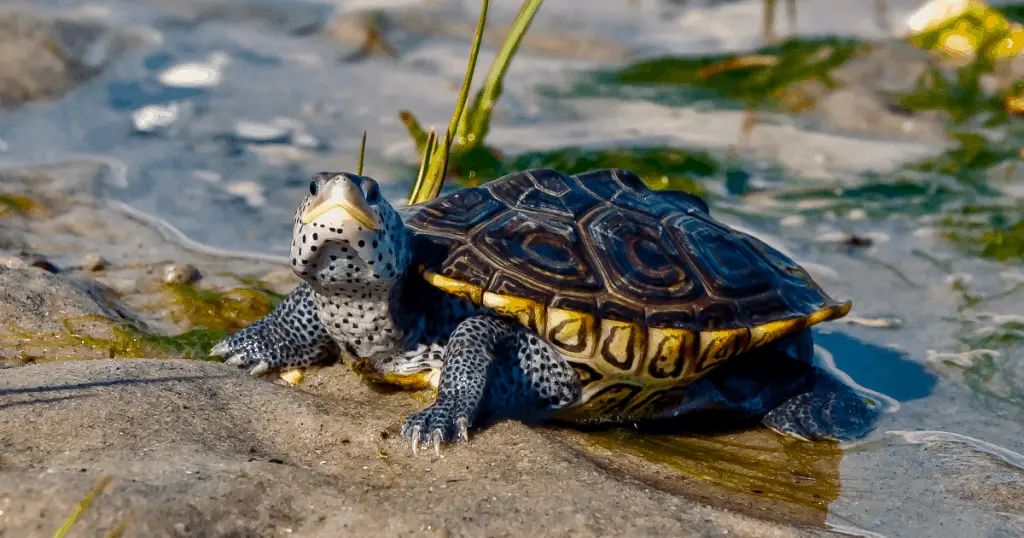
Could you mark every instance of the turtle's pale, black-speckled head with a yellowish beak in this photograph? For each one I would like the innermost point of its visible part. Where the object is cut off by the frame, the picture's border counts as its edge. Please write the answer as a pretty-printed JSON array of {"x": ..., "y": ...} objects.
[{"x": 347, "y": 239}]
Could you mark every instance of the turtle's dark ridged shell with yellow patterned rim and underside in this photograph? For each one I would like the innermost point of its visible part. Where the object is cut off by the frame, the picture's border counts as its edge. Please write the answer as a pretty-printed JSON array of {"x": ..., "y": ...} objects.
[{"x": 643, "y": 292}]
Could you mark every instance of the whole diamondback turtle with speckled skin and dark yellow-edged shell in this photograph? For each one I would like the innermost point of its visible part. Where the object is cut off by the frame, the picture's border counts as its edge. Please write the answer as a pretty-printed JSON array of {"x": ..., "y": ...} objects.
[{"x": 582, "y": 299}]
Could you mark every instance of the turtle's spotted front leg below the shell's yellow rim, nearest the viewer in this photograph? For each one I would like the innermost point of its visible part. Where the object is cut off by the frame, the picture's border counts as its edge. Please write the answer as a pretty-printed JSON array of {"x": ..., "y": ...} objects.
[{"x": 491, "y": 364}]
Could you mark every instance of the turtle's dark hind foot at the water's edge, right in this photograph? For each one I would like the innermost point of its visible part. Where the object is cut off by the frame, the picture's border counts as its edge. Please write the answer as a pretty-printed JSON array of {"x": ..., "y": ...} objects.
[{"x": 828, "y": 413}]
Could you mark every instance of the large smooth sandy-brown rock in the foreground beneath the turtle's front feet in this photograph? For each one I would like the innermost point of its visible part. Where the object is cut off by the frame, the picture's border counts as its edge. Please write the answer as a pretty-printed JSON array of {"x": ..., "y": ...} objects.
[{"x": 202, "y": 449}]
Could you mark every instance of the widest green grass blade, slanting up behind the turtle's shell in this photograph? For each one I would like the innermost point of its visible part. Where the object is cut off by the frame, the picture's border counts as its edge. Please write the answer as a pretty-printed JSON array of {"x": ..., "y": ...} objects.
[{"x": 474, "y": 130}]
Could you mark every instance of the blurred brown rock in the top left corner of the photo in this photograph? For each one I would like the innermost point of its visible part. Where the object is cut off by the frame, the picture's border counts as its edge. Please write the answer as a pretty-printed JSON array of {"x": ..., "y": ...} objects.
[{"x": 42, "y": 58}]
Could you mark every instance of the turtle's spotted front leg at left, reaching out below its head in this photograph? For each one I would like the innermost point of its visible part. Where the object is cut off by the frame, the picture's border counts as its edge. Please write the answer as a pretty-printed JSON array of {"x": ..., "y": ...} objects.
[{"x": 291, "y": 337}]
